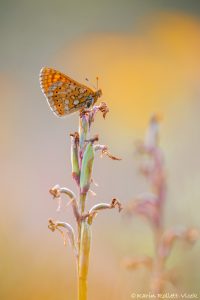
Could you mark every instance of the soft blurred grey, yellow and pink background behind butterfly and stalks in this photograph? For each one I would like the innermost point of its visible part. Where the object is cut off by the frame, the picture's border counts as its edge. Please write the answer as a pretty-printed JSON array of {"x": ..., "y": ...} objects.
[{"x": 146, "y": 54}]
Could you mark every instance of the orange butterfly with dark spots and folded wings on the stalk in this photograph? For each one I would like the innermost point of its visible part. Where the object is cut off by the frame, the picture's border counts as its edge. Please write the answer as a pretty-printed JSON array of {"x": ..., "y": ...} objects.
[{"x": 65, "y": 95}]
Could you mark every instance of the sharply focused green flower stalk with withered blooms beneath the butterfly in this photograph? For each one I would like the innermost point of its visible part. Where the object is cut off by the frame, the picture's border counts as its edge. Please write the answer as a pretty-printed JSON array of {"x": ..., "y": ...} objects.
[{"x": 83, "y": 151}]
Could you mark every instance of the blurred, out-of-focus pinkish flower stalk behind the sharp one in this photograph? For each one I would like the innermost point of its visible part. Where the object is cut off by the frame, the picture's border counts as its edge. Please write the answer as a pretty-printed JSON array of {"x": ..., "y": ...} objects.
[{"x": 151, "y": 206}]
